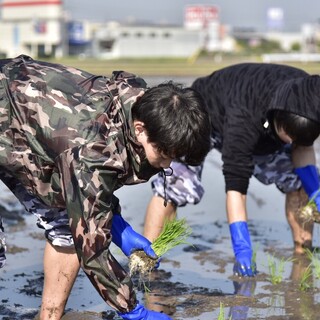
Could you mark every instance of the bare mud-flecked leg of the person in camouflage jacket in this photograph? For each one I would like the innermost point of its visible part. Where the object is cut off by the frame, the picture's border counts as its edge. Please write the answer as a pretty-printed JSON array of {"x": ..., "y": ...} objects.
[{"x": 61, "y": 267}]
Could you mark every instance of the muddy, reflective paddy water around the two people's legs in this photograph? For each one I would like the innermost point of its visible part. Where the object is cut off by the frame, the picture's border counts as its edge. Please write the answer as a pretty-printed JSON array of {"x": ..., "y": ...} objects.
[{"x": 194, "y": 281}]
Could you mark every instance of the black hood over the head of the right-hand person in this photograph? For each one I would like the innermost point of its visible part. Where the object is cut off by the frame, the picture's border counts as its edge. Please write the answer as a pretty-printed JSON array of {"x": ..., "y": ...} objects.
[{"x": 300, "y": 96}]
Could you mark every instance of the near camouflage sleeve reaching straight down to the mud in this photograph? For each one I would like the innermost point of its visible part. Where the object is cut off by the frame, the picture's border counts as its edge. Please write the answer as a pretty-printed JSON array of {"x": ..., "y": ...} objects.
[{"x": 89, "y": 178}]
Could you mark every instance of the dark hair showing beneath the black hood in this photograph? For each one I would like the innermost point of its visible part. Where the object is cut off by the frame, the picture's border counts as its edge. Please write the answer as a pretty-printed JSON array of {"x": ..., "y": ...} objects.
[{"x": 301, "y": 130}]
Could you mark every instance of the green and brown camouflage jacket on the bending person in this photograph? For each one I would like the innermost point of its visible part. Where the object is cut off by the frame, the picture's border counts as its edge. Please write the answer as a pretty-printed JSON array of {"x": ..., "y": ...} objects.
[{"x": 67, "y": 136}]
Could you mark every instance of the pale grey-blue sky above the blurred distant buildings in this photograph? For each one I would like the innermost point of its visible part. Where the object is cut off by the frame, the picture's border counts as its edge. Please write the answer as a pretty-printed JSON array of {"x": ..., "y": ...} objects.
[{"x": 236, "y": 13}]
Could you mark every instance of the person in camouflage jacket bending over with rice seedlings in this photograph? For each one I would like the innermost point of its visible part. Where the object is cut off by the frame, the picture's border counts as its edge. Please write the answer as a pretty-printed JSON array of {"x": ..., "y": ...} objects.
[{"x": 68, "y": 140}]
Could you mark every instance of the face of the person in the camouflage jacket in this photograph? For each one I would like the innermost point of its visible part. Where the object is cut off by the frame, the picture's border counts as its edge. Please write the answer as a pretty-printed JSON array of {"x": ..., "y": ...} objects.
[{"x": 155, "y": 158}]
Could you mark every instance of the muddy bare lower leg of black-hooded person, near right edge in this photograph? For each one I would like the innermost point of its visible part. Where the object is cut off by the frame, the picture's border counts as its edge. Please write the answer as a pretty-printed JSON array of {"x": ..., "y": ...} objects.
[{"x": 301, "y": 231}]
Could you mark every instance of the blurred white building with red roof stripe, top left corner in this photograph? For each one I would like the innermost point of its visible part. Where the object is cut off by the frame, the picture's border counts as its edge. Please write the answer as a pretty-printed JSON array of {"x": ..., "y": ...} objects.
[{"x": 33, "y": 27}]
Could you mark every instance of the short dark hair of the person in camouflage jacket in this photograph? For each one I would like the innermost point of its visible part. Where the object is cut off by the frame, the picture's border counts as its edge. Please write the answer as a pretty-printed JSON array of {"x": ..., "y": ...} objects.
[{"x": 176, "y": 120}]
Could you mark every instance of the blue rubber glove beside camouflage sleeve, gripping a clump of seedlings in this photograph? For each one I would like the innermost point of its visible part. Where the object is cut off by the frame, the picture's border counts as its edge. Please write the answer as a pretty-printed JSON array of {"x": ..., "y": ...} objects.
[{"x": 127, "y": 239}]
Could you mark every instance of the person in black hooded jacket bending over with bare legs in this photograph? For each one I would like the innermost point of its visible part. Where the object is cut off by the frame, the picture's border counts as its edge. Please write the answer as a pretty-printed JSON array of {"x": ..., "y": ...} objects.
[{"x": 265, "y": 119}]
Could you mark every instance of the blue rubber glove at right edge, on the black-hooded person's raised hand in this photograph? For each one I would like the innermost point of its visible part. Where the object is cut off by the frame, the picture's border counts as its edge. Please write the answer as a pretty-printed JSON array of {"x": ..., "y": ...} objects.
[{"x": 310, "y": 181}]
